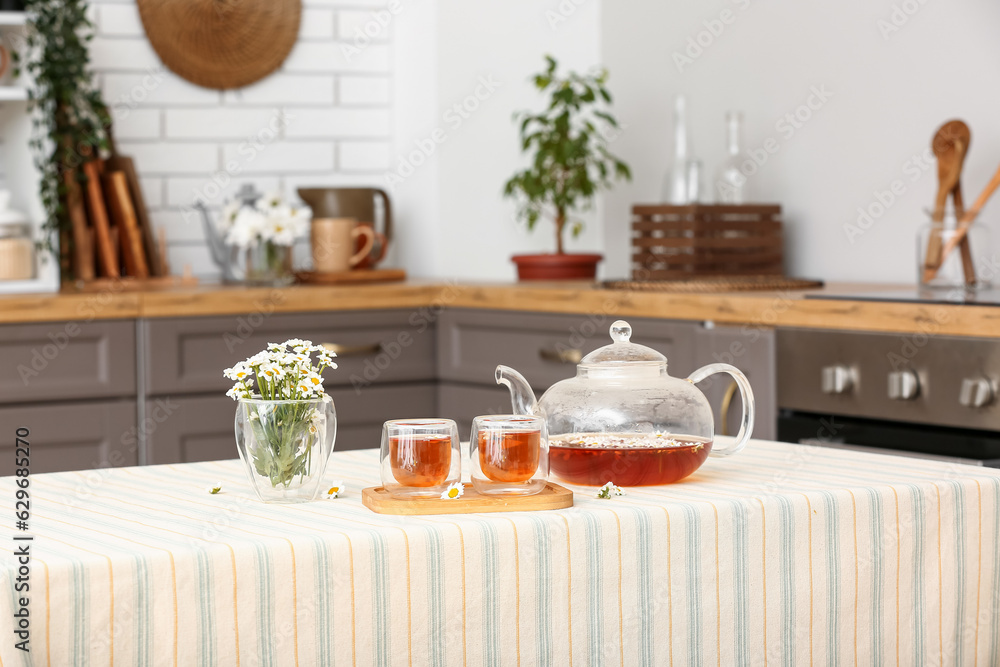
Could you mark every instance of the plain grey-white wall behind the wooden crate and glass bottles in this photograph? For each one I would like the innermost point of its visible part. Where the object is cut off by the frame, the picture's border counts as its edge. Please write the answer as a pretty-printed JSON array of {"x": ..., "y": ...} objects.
[{"x": 889, "y": 96}]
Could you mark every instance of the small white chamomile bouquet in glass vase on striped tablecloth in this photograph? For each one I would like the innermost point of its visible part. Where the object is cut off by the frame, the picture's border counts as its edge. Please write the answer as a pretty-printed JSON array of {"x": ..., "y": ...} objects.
[{"x": 285, "y": 421}]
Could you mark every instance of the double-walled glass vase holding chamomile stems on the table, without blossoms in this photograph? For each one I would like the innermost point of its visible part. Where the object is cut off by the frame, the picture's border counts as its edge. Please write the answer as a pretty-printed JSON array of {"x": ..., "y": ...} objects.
[{"x": 285, "y": 446}]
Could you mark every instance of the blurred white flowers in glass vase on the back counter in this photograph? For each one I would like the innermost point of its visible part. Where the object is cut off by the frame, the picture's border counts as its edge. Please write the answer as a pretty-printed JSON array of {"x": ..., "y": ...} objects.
[{"x": 264, "y": 231}]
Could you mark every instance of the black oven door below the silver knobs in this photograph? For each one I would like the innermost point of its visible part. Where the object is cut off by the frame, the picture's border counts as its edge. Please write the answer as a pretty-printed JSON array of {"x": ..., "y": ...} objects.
[{"x": 955, "y": 445}]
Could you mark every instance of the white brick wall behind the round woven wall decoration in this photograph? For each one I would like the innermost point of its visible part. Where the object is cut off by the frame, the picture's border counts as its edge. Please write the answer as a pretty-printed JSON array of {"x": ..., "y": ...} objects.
[{"x": 324, "y": 119}]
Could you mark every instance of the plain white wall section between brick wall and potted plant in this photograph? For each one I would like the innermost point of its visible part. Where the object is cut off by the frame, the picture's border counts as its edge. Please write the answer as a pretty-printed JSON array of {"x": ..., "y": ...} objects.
[{"x": 448, "y": 52}]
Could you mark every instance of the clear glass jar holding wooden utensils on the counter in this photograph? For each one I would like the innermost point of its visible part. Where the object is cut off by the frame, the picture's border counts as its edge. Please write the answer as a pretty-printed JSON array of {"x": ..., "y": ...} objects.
[{"x": 933, "y": 237}]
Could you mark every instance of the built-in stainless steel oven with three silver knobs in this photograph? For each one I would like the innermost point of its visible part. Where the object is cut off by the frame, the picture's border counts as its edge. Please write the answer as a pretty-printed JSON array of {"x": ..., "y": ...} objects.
[{"x": 908, "y": 394}]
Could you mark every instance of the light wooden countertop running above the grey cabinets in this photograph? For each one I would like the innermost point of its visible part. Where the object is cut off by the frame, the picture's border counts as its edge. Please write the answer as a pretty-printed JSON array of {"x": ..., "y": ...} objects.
[{"x": 787, "y": 309}]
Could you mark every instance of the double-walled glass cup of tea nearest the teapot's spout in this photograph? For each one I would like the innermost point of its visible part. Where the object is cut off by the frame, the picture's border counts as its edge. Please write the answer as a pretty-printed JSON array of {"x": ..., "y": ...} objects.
[{"x": 509, "y": 454}]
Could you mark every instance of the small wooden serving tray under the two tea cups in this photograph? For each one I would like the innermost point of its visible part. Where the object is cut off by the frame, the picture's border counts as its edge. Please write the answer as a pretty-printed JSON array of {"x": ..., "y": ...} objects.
[{"x": 552, "y": 497}]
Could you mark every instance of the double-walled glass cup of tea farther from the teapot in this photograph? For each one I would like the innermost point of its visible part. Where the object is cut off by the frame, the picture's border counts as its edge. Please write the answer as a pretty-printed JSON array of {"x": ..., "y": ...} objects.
[{"x": 420, "y": 457}]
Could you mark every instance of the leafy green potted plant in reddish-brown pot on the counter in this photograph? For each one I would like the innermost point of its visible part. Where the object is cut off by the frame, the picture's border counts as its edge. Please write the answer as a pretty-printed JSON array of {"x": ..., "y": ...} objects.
[{"x": 570, "y": 164}]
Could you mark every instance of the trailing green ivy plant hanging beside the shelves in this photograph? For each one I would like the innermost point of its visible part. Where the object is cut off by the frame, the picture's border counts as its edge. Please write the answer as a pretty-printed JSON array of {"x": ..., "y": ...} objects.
[{"x": 69, "y": 116}]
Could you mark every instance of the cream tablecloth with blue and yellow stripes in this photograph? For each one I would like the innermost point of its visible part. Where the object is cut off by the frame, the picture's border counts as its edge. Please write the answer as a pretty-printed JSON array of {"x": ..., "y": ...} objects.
[{"x": 783, "y": 555}]
